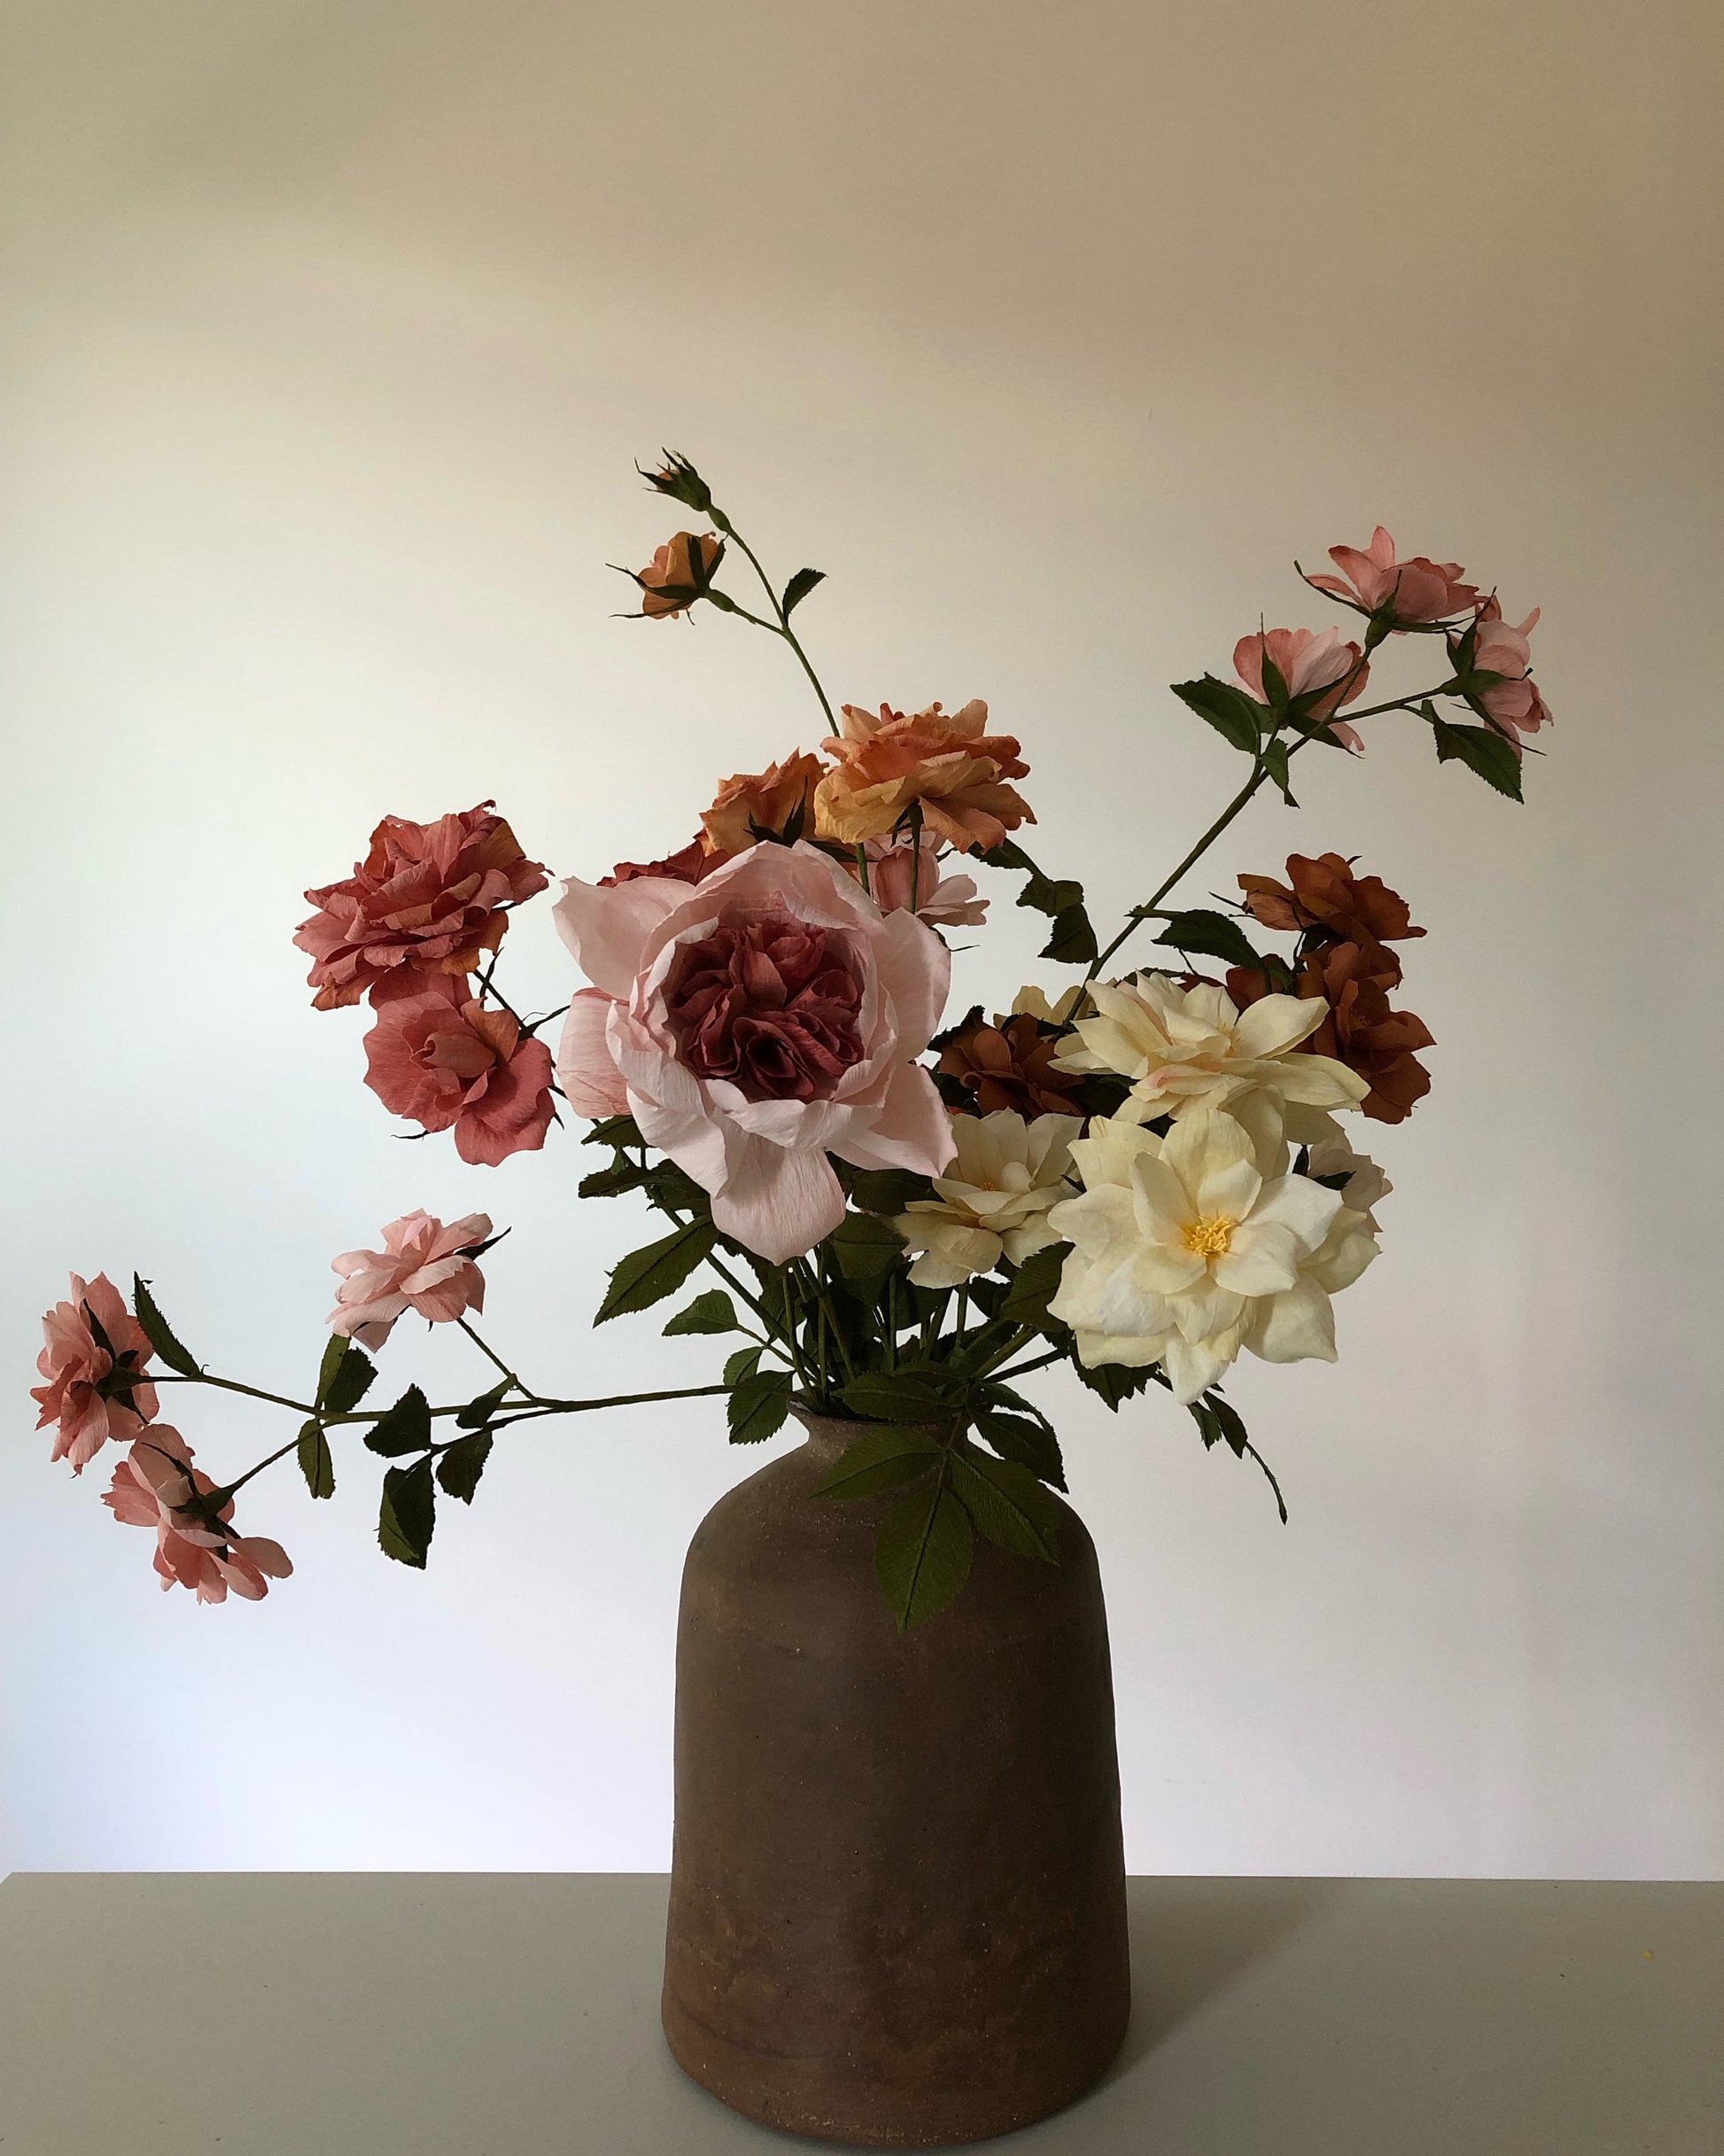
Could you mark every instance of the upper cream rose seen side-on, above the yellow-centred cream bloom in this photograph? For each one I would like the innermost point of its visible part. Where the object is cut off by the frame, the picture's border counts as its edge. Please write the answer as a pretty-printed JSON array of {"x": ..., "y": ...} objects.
[{"x": 1193, "y": 1051}]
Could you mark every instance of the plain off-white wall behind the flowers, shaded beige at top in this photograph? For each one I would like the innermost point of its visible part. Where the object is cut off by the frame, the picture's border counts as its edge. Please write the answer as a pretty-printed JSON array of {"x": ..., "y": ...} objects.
[{"x": 1053, "y": 333}]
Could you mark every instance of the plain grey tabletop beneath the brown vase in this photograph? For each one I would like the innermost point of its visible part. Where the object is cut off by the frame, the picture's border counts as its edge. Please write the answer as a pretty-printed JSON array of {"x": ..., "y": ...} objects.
[{"x": 516, "y": 2015}]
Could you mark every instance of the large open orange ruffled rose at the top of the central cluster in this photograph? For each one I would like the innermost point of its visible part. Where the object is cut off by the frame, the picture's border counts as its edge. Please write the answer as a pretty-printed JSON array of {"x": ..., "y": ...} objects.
[{"x": 945, "y": 760}]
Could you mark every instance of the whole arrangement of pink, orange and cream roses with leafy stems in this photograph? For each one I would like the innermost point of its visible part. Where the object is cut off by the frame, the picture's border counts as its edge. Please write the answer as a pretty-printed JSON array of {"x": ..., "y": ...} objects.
[{"x": 1137, "y": 1174}]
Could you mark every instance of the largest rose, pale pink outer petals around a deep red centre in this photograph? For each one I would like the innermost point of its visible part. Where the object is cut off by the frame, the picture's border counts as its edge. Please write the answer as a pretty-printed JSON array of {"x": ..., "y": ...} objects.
[{"x": 755, "y": 1025}]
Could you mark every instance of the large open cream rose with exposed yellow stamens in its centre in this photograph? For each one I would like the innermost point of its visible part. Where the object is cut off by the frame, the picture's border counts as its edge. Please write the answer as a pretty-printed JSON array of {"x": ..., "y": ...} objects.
[{"x": 1184, "y": 1254}]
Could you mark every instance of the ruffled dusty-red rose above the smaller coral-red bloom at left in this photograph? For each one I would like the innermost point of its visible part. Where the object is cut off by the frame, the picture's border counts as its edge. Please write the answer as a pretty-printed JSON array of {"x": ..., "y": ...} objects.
[{"x": 428, "y": 900}]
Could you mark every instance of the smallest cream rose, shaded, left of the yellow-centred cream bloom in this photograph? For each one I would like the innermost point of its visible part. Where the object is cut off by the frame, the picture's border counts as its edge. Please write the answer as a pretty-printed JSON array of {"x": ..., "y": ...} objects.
[{"x": 995, "y": 1200}]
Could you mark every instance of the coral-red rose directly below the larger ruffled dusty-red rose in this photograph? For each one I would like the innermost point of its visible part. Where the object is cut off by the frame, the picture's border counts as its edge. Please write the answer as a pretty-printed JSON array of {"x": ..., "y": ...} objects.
[{"x": 454, "y": 1064}]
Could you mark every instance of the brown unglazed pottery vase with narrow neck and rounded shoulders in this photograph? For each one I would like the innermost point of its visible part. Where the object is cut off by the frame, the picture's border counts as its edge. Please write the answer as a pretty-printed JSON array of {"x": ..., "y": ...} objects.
[{"x": 898, "y": 1894}]
